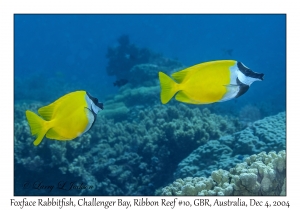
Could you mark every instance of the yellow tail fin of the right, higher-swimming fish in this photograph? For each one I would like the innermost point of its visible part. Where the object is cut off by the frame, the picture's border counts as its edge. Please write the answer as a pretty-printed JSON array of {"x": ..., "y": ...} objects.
[{"x": 168, "y": 87}]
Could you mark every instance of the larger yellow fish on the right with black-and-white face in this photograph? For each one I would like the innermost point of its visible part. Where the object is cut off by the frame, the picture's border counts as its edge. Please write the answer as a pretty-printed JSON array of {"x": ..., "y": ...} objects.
[{"x": 208, "y": 82}]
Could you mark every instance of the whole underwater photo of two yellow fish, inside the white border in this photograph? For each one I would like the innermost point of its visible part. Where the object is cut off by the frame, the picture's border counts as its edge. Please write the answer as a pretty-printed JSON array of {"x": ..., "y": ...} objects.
[{"x": 144, "y": 104}]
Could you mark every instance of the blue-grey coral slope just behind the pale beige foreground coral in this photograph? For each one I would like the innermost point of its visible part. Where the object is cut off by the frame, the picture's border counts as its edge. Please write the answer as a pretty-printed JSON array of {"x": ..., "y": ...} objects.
[{"x": 267, "y": 135}]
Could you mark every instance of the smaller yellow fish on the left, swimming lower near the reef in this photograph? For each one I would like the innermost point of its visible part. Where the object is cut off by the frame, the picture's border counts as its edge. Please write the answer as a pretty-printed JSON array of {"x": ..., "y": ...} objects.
[{"x": 66, "y": 118}]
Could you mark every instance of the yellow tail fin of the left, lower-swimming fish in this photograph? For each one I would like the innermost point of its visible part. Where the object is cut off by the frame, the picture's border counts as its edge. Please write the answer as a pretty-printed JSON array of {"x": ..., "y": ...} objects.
[{"x": 37, "y": 125}]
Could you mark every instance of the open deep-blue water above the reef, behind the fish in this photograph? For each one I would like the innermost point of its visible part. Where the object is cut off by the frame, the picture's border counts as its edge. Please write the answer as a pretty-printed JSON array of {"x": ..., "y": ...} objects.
[{"x": 57, "y": 54}]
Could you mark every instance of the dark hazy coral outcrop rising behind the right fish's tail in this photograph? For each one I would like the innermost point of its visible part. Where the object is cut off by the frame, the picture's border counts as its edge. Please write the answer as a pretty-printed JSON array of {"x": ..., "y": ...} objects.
[{"x": 137, "y": 65}]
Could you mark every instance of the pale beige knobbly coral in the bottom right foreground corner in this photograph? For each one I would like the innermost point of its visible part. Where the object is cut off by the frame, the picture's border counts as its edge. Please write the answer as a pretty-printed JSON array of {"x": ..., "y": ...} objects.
[{"x": 261, "y": 174}]
